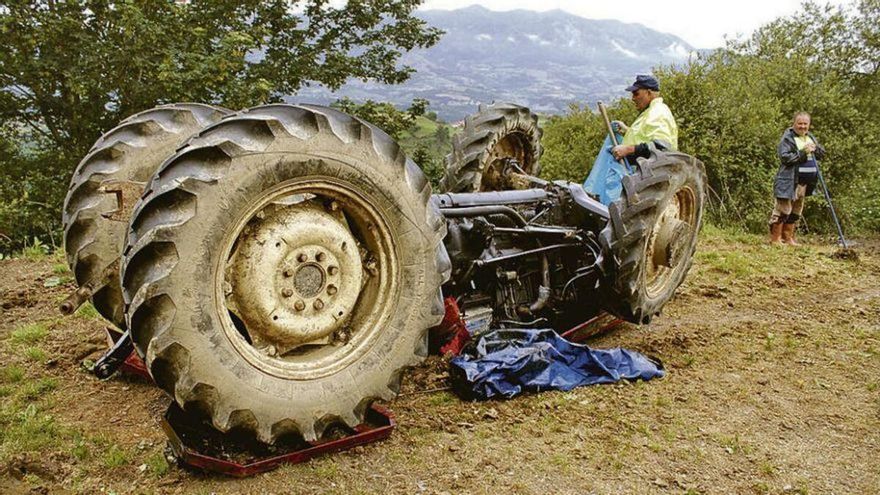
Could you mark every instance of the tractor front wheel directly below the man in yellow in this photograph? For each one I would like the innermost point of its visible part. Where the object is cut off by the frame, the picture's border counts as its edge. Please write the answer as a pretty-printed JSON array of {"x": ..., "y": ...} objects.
[{"x": 652, "y": 234}]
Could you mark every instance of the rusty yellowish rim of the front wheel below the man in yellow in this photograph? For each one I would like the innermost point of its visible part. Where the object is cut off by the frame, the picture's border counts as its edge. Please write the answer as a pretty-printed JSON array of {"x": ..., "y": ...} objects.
[{"x": 680, "y": 209}]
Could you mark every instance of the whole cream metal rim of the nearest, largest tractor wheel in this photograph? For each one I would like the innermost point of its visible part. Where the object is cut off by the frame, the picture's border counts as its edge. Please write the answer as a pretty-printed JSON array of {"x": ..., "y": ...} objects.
[{"x": 308, "y": 278}]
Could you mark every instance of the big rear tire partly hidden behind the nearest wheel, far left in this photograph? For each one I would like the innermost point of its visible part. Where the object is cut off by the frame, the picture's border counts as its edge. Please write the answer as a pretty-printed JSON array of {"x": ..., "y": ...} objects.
[{"x": 106, "y": 185}]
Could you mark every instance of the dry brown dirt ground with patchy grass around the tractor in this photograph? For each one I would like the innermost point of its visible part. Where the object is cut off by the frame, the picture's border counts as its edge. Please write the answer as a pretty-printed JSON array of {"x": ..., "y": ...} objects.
[{"x": 773, "y": 386}]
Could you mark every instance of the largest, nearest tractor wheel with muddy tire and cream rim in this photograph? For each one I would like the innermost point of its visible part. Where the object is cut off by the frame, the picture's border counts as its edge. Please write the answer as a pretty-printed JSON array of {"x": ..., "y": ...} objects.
[{"x": 282, "y": 270}]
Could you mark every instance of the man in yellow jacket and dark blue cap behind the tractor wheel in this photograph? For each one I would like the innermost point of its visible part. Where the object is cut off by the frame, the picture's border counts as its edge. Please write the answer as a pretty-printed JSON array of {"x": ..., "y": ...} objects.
[{"x": 655, "y": 126}]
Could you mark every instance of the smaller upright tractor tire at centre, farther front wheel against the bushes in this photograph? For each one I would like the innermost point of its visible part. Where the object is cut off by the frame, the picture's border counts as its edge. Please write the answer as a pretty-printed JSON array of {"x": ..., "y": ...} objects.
[{"x": 495, "y": 133}]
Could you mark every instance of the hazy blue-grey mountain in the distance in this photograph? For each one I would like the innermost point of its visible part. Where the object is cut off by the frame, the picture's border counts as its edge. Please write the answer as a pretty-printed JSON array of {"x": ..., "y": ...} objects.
[{"x": 544, "y": 60}]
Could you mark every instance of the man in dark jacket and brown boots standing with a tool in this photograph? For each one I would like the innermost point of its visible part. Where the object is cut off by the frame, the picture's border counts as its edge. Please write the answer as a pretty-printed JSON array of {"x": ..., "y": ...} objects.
[{"x": 799, "y": 152}]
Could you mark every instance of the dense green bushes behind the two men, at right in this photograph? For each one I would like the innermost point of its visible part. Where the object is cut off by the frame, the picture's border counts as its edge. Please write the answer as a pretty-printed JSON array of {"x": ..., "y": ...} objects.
[{"x": 733, "y": 104}]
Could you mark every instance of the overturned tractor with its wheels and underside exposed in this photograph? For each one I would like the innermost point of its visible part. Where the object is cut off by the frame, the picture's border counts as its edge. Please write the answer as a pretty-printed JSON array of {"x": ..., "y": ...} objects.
[{"x": 278, "y": 268}]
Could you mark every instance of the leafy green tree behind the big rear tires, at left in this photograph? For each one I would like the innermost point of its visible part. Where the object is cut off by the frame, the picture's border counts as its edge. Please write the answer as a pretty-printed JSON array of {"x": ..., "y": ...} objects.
[{"x": 70, "y": 70}]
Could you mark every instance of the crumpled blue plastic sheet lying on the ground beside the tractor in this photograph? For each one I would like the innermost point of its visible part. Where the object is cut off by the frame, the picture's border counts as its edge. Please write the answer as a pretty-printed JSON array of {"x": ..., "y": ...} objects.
[{"x": 504, "y": 363}]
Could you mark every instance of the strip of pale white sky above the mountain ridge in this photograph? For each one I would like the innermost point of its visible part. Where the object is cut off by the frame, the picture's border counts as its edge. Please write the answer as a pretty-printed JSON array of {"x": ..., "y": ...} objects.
[{"x": 703, "y": 24}]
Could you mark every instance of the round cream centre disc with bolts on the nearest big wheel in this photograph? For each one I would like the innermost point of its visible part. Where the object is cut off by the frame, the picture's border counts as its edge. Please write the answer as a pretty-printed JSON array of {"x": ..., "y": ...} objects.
[{"x": 296, "y": 276}]
